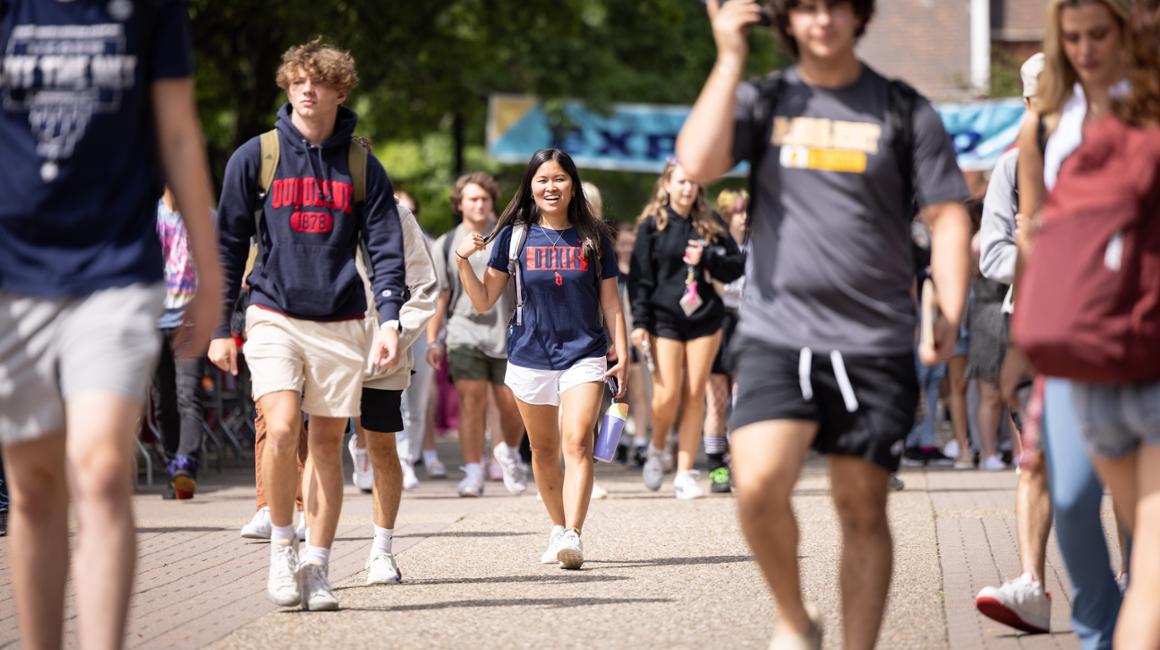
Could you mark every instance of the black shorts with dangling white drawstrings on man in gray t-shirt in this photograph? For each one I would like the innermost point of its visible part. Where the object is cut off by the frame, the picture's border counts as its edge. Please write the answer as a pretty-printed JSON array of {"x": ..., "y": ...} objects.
[{"x": 884, "y": 391}]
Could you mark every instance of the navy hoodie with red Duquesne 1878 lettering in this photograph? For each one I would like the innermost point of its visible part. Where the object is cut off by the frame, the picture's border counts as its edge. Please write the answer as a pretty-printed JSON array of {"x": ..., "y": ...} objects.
[{"x": 311, "y": 229}]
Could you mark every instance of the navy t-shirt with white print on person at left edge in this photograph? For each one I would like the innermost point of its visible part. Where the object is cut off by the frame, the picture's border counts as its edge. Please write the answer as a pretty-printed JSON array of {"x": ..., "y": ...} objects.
[{"x": 78, "y": 149}]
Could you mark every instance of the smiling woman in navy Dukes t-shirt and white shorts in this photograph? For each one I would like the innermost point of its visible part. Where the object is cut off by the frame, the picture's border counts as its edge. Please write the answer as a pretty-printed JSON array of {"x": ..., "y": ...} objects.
[{"x": 565, "y": 280}]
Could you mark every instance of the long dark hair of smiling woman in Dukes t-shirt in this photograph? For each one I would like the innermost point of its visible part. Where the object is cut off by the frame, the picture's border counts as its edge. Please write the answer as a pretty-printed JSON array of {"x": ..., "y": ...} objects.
[{"x": 523, "y": 210}]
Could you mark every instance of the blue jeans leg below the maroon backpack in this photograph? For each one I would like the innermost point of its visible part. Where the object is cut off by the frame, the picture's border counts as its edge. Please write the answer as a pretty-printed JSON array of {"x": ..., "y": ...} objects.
[{"x": 1076, "y": 496}]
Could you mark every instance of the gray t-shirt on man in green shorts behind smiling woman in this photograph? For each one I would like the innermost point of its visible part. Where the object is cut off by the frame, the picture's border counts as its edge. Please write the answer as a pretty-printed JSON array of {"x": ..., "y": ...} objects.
[{"x": 487, "y": 333}]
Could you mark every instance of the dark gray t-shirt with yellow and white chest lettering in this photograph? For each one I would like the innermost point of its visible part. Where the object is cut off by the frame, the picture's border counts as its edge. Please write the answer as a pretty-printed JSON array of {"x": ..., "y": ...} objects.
[{"x": 832, "y": 265}]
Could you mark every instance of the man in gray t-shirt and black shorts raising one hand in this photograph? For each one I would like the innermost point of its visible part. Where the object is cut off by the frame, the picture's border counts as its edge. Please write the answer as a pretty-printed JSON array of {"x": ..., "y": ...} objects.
[{"x": 838, "y": 155}]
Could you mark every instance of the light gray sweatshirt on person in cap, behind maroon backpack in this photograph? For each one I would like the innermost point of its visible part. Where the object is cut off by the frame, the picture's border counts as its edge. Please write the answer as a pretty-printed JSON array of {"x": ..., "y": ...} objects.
[{"x": 997, "y": 234}]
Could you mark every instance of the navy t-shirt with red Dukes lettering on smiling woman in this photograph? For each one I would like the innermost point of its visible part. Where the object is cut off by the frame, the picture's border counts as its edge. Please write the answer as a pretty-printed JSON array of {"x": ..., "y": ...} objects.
[{"x": 562, "y": 316}]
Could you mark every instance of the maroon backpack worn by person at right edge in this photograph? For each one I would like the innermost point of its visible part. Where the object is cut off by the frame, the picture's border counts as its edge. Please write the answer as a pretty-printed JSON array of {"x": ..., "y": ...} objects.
[{"x": 1089, "y": 302}]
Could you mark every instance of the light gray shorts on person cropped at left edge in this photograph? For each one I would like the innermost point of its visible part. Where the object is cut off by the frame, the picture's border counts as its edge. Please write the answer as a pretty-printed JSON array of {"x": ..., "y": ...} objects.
[{"x": 56, "y": 349}]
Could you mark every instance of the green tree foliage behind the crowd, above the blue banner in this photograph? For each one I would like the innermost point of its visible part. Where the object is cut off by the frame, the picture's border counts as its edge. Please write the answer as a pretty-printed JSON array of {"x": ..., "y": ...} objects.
[{"x": 427, "y": 70}]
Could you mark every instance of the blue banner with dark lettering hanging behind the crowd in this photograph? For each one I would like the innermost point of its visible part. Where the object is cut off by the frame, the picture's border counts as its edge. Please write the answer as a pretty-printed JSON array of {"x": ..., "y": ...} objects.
[{"x": 641, "y": 138}]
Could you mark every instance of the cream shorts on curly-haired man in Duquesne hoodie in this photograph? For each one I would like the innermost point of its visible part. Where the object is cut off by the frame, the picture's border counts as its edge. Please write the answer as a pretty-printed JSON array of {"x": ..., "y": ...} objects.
[{"x": 324, "y": 363}]
